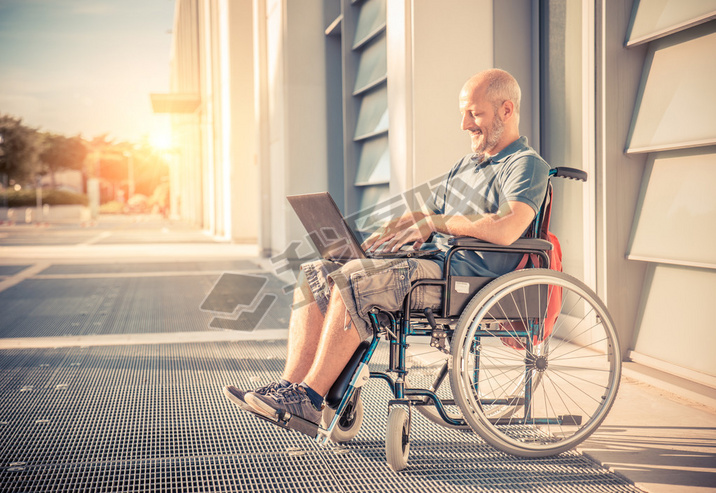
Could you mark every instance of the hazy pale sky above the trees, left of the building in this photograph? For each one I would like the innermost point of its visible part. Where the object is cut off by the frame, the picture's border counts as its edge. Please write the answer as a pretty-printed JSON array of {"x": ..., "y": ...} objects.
[{"x": 86, "y": 66}]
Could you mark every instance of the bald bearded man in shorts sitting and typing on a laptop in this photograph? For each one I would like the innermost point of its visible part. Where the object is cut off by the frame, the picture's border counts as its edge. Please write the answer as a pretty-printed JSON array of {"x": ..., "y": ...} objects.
[{"x": 492, "y": 194}]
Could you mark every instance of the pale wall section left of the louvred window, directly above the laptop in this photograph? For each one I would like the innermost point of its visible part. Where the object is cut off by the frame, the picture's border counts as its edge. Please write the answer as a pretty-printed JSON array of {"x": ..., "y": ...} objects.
[{"x": 294, "y": 82}]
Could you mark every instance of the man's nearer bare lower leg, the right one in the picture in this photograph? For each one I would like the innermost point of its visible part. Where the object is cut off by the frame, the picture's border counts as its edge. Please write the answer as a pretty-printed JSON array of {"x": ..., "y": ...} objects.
[{"x": 336, "y": 347}]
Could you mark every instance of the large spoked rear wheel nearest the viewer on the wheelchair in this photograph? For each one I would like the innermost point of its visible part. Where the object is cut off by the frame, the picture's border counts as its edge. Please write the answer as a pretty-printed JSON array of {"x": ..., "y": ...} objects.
[{"x": 530, "y": 387}]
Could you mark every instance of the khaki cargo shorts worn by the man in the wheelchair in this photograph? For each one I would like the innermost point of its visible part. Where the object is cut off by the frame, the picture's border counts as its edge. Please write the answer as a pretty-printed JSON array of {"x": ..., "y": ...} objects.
[{"x": 372, "y": 283}]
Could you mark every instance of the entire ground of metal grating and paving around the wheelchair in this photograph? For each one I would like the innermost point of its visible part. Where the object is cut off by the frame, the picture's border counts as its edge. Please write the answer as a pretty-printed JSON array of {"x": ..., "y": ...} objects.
[{"x": 110, "y": 369}]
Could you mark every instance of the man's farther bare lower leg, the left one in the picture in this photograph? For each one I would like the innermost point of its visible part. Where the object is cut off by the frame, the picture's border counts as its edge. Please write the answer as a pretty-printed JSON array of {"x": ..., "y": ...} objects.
[{"x": 304, "y": 332}]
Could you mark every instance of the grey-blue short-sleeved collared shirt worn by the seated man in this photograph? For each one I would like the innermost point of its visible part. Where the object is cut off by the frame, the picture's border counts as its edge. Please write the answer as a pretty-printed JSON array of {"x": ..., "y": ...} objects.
[{"x": 517, "y": 173}]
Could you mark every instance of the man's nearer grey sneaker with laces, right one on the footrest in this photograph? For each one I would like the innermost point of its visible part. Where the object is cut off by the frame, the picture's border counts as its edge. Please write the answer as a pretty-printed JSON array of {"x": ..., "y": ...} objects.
[{"x": 292, "y": 399}]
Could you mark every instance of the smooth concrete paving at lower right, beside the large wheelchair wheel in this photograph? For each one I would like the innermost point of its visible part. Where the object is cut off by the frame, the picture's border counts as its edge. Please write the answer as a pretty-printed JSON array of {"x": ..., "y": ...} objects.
[{"x": 660, "y": 441}]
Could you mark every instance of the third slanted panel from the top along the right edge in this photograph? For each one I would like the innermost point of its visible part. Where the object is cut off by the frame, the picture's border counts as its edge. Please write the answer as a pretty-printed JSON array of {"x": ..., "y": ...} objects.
[{"x": 676, "y": 218}]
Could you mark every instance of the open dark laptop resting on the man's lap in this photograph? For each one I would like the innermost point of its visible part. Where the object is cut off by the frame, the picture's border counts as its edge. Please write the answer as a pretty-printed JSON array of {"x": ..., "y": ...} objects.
[{"x": 330, "y": 233}]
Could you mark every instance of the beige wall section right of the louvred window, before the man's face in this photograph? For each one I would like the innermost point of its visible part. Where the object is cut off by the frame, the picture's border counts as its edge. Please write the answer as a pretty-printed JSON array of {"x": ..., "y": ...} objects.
[{"x": 433, "y": 48}]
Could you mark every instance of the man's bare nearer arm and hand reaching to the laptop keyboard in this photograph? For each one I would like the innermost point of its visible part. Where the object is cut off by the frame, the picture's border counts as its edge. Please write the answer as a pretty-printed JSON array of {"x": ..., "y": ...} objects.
[{"x": 502, "y": 228}]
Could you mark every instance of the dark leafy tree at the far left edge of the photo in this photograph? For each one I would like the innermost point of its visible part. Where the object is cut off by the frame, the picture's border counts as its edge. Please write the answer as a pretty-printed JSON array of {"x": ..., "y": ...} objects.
[{"x": 20, "y": 147}]
